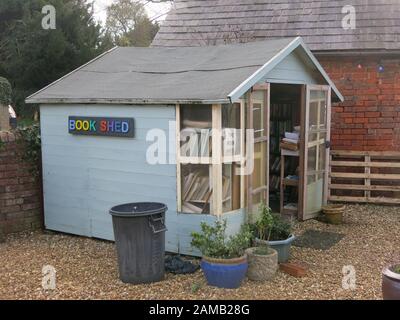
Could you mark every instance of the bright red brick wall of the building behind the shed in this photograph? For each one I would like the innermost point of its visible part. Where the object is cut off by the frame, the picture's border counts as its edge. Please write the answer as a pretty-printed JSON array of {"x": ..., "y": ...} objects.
[{"x": 369, "y": 119}]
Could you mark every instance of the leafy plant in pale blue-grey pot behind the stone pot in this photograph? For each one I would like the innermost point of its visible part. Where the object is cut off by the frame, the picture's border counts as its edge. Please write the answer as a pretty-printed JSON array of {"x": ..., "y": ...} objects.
[{"x": 279, "y": 234}]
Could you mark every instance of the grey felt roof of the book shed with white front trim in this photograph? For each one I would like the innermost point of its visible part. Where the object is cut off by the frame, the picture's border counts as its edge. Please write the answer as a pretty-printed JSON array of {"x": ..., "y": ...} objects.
[{"x": 217, "y": 74}]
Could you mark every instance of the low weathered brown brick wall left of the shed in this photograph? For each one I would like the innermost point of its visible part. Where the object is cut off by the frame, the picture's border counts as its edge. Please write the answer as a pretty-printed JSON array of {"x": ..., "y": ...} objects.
[{"x": 20, "y": 195}]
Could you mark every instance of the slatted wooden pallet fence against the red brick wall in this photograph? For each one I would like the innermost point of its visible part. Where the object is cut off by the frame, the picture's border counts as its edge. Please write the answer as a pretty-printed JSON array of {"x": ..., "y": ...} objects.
[{"x": 358, "y": 184}]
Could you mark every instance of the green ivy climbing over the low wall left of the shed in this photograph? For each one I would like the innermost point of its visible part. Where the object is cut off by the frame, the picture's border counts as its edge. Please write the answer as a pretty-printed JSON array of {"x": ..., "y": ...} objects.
[{"x": 30, "y": 138}]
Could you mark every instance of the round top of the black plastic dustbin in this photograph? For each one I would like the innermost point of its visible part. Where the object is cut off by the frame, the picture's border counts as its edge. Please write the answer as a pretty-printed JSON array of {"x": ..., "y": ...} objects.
[{"x": 138, "y": 209}]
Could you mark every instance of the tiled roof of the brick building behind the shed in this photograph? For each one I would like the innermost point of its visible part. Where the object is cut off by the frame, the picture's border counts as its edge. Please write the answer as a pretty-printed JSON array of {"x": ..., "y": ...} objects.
[{"x": 318, "y": 22}]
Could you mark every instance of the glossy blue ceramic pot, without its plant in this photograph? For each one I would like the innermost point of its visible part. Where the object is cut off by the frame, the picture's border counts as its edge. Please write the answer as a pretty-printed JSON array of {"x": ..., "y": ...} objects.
[{"x": 224, "y": 273}]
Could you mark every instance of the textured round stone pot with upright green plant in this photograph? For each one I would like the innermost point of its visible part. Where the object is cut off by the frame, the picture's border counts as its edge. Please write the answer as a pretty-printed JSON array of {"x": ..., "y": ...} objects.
[{"x": 263, "y": 260}]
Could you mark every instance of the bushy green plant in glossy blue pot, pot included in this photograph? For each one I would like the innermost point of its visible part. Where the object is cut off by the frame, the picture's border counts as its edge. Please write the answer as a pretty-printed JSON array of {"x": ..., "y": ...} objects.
[{"x": 224, "y": 261}]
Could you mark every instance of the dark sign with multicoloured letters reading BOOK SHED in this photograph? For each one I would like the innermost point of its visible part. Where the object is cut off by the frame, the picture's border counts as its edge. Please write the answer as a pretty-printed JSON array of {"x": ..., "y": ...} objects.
[{"x": 100, "y": 126}]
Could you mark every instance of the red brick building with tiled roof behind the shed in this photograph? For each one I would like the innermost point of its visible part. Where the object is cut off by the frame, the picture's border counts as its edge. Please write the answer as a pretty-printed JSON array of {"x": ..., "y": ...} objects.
[{"x": 363, "y": 62}]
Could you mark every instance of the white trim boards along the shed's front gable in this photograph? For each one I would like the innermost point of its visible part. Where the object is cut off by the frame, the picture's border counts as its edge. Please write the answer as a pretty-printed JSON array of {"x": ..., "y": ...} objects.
[{"x": 236, "y": 94}]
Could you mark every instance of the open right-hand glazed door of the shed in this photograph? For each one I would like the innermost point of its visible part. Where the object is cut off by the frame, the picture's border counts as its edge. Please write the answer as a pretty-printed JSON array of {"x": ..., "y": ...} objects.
[{"x": 316, "y": 147}]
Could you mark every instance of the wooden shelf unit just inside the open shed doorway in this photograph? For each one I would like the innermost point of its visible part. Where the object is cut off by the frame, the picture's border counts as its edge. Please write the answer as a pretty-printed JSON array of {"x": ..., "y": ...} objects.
[{"x": 288, "y": 209}]
